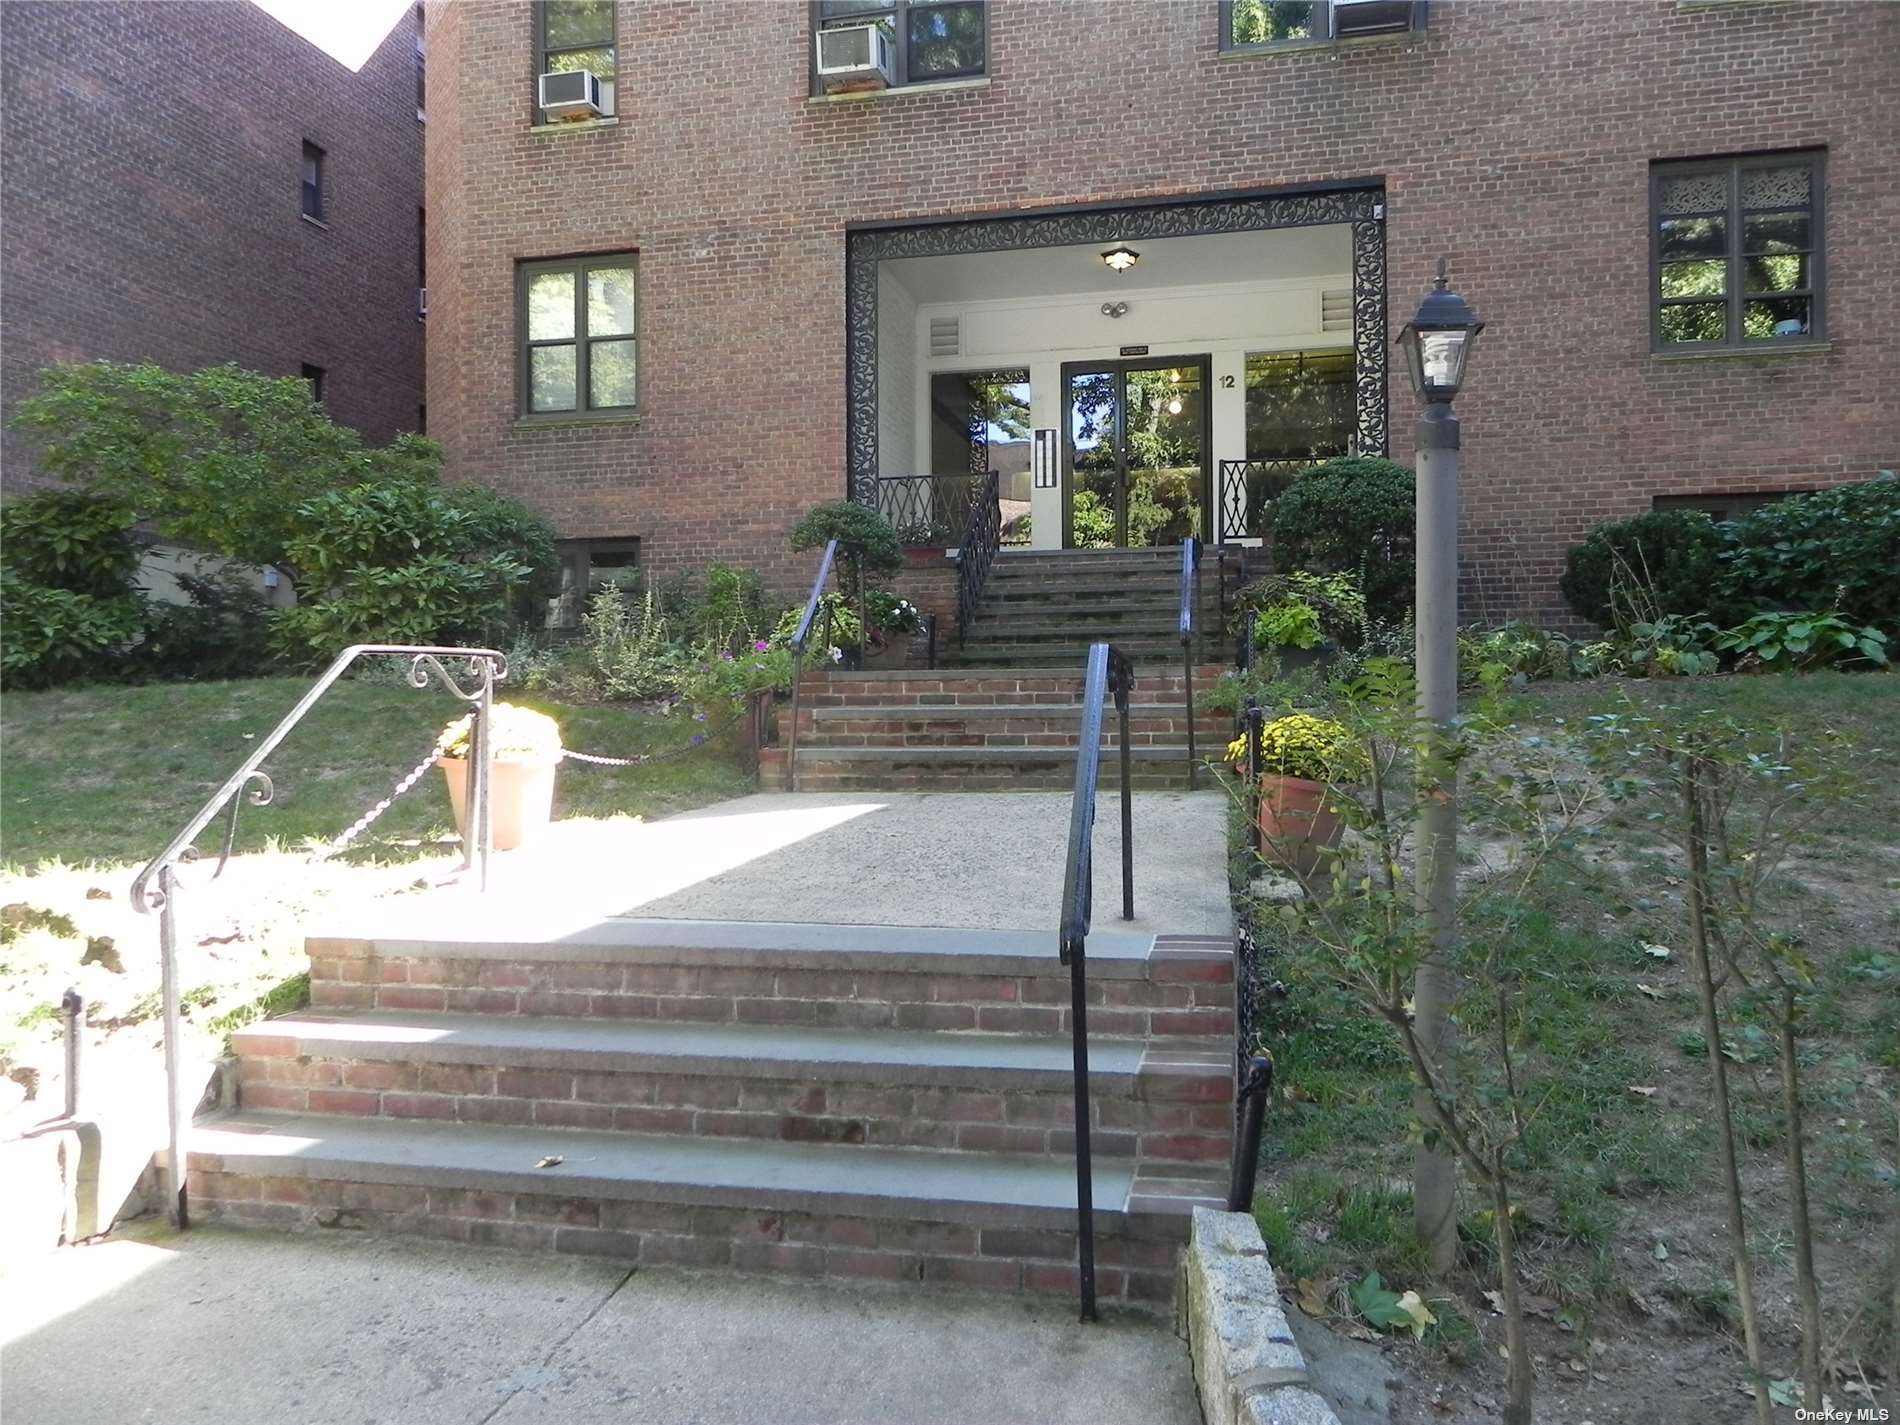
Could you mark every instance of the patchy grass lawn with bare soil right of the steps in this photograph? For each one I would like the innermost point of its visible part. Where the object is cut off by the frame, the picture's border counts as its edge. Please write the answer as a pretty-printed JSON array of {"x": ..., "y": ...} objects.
[{"x": 1624, "y": 1225}]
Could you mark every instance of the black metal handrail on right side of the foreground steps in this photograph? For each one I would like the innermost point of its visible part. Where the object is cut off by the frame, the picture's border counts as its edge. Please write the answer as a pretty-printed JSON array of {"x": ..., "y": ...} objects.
[{"x": 1111, "y": 675}]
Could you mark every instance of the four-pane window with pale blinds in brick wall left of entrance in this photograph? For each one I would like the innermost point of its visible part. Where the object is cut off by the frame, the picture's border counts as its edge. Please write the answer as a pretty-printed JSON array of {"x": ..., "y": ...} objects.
[{"x": 577, "y": 326}]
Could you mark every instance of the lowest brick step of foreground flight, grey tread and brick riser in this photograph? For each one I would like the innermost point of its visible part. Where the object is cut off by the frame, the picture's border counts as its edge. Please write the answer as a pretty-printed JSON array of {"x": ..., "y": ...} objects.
[{"x": 985, "y": 1221}]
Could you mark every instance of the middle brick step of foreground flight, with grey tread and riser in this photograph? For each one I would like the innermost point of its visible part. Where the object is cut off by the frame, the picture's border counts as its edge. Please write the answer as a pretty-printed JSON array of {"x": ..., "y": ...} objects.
[{"x": 995, "y": 1093}]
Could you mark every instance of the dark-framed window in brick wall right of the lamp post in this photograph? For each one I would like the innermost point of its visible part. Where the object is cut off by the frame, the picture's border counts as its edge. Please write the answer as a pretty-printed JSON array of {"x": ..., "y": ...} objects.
[{"x": 1736, "y": 252}]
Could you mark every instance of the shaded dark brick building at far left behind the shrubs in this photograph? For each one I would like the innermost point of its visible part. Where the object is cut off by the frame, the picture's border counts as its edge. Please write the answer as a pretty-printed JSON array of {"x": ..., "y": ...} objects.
[{"x": 195, "y": 183}]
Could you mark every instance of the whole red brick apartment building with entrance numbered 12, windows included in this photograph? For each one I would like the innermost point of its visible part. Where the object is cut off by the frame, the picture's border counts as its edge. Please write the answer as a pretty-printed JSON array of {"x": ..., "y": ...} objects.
[{"x": 732, "y": 294}]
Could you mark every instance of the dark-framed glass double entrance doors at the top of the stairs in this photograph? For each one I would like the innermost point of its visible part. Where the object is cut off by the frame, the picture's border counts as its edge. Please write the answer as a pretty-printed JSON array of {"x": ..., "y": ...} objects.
[{"x": 1137, "y": 453}]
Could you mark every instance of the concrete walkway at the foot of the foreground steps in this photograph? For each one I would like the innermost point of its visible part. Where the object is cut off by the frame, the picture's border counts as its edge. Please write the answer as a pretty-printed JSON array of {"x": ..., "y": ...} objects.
[{"x": 233, "y": 1329}]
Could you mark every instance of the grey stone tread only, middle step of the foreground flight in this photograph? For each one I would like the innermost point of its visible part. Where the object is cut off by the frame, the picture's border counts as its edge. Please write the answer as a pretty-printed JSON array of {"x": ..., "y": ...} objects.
[{"x": 677, "y": 1048}]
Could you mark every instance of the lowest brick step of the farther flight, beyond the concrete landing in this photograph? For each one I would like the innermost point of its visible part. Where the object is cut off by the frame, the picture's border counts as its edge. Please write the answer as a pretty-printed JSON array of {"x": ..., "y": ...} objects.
[{"x": 983, "y": 769}]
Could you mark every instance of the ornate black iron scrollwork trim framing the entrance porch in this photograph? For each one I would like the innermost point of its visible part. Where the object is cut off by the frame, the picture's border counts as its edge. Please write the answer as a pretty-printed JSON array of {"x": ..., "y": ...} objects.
[{"x": 865, "y": 250}]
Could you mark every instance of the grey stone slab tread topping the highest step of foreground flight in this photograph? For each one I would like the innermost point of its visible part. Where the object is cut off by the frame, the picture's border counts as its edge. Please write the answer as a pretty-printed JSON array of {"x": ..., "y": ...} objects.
[{"x": 753, "y": 943}]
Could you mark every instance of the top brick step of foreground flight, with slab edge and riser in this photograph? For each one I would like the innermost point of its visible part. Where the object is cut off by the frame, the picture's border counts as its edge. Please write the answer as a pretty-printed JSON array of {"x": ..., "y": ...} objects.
[{"x": 867, "y": 978}]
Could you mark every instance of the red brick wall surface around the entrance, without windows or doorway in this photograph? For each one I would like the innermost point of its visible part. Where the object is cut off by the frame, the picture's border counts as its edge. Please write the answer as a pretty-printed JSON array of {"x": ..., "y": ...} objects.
[{"x": 1511, "y": 138}]
